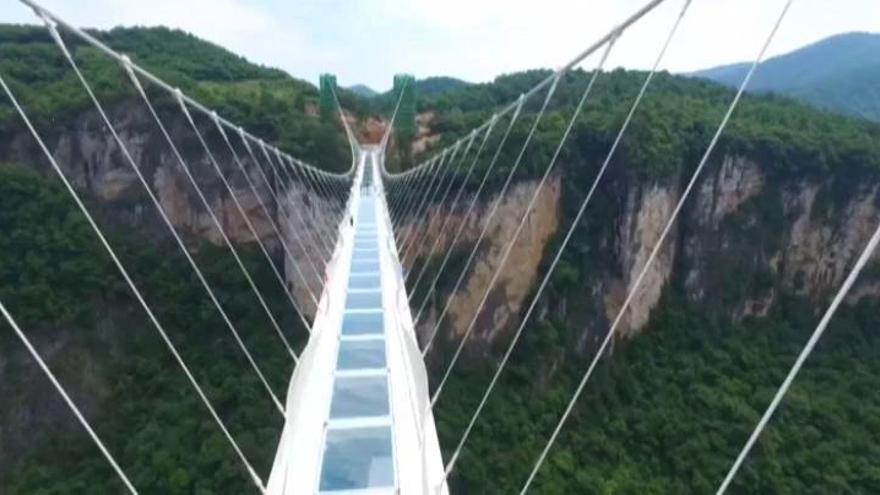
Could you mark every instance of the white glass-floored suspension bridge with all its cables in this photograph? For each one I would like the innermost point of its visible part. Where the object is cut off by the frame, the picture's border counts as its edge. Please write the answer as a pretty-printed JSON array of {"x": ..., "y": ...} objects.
[{"x": 358, "y": 411}]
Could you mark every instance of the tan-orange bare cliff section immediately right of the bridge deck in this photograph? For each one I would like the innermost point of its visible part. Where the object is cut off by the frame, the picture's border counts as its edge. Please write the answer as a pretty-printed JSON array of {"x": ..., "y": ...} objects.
[{"x": 521, "y": 267}]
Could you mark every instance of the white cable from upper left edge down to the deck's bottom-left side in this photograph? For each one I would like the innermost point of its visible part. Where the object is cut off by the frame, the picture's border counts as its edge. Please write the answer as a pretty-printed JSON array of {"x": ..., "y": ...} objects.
[{"x": 130, "y": 282}]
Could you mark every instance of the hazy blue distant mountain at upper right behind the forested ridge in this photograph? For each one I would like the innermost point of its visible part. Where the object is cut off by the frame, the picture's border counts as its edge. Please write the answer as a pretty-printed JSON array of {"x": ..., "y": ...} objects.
[{"x": 840, "y": 73}]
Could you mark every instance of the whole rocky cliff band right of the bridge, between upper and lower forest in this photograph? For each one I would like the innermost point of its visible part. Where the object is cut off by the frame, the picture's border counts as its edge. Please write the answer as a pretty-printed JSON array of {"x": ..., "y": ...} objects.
[{"x": 748, "y": 233}]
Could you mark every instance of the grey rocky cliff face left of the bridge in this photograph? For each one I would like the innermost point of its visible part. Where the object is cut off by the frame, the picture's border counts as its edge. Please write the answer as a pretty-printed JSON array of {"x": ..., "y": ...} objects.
[{"x": 93, "y": 162}]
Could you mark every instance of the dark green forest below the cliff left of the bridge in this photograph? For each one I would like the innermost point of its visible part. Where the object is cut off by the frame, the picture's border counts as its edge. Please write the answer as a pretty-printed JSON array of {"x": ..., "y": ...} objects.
[{"x": 63, "y": 289}]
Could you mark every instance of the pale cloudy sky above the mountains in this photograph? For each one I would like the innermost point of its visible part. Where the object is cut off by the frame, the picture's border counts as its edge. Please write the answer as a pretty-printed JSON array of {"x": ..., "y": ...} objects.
[{"x": 368, "y": 41}]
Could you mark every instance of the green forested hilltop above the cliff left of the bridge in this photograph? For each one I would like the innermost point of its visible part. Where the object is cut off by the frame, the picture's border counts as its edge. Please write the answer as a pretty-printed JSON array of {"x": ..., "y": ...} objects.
[{"x": 266, "y": 101}]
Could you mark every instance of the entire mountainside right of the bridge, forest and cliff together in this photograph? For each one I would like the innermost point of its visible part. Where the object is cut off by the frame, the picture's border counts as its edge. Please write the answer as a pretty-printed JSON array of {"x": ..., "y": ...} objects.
[{"x": 786, "y": 203}]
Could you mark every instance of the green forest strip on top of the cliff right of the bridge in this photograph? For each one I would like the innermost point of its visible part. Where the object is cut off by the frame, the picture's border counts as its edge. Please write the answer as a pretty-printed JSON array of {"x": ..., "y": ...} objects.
[{"x": 673, "y": 121}]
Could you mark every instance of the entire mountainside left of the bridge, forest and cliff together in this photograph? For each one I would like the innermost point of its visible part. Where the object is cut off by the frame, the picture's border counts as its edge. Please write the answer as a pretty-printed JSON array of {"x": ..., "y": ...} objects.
[{"x": 61, "y": 285}]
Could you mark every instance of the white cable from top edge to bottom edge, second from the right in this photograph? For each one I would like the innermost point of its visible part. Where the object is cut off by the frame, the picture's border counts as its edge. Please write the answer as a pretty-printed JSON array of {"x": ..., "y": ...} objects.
[{"x": 657, "y": 246}]
